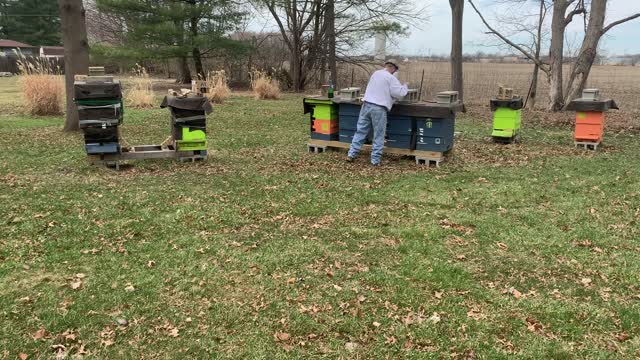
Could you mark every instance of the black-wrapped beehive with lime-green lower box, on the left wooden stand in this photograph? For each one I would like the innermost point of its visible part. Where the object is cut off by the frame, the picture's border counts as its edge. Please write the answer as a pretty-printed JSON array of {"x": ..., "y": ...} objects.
[{"x": 188, "y": 121}]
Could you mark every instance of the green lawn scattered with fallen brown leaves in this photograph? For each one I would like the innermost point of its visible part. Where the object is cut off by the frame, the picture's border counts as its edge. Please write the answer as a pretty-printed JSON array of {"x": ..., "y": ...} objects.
[{"x": 266, "y": 251}]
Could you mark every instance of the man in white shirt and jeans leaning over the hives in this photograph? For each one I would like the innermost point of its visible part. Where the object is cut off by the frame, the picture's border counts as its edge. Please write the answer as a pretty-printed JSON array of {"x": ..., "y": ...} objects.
[{"x": 378, "y": 100}]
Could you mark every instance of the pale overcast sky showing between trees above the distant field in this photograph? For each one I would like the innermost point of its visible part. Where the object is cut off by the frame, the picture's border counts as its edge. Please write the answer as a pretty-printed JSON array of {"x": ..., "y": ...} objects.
[{"x": 435, "y": 37}]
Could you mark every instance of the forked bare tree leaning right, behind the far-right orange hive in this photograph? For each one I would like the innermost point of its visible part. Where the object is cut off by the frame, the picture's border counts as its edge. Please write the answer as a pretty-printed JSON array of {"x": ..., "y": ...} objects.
[{"x": 589, "y": 50}]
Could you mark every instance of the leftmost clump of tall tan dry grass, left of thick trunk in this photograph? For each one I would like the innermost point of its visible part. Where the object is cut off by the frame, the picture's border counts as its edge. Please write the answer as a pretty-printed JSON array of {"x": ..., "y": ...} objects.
[{"x": 42, "y": 87}]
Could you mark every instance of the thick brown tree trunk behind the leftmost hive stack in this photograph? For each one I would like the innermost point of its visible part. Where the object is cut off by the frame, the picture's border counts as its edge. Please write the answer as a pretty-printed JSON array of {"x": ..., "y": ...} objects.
[{"x": 76, "y": 53}]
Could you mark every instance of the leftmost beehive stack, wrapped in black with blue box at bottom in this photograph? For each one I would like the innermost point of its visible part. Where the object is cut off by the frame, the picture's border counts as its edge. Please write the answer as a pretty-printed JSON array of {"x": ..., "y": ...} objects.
[{"x": 100, "y": 111}]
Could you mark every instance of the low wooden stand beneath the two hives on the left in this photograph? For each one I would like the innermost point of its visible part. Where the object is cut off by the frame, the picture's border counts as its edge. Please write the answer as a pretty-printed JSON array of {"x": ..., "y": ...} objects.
[{"x": 142, "y": 152}]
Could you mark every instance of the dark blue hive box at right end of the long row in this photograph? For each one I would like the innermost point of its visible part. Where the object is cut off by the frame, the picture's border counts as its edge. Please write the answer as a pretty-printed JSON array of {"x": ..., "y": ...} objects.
[{"x": 434, "y": 134}]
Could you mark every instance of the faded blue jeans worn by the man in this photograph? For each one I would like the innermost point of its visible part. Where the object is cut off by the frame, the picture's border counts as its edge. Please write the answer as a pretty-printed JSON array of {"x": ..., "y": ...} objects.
[{"x": 375, "y": 116}]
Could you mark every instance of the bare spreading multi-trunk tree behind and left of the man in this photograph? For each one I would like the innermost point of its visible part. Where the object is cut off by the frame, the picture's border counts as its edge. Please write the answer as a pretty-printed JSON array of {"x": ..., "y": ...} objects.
[{"x": 304, "y": 26}]
